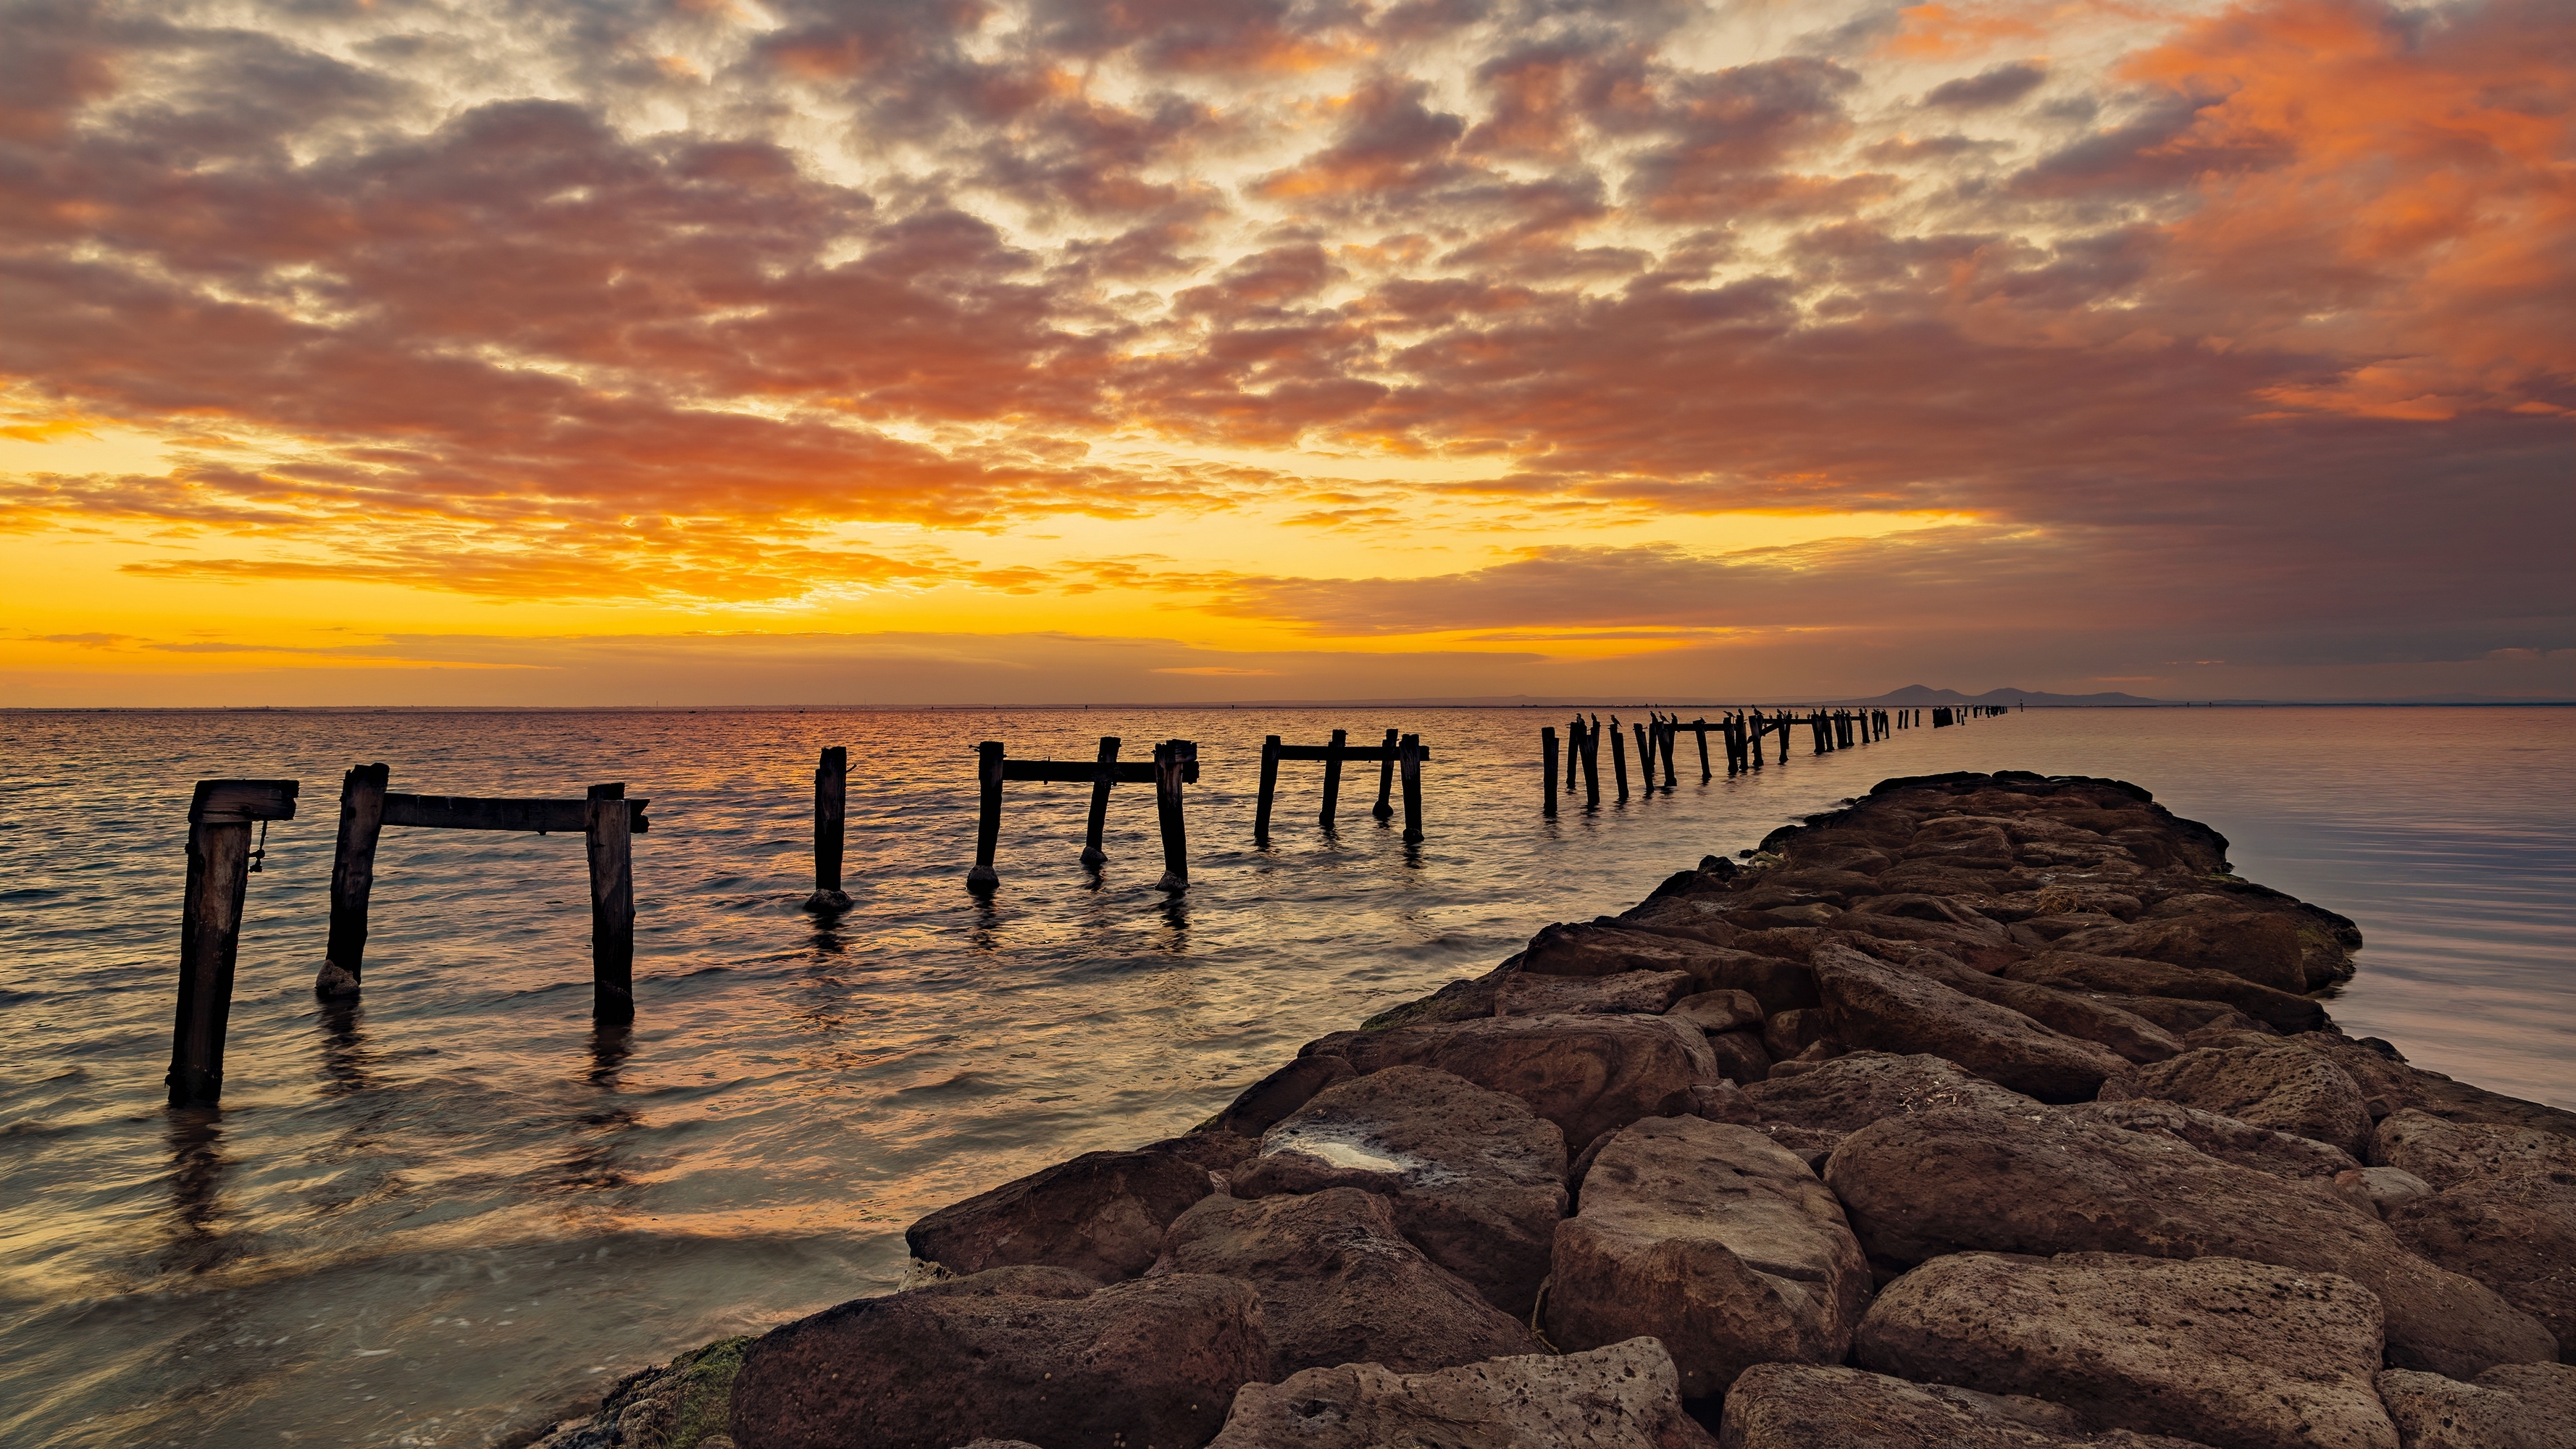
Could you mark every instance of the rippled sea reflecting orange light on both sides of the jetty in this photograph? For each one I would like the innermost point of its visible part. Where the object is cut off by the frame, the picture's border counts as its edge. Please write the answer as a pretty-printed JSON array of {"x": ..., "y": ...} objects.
[{"x": 452, "y": 1211}]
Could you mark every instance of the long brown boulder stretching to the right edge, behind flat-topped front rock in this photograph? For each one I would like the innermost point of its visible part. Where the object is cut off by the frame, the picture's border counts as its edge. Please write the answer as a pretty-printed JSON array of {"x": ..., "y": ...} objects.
[{"x": 1959, "y": 1182}]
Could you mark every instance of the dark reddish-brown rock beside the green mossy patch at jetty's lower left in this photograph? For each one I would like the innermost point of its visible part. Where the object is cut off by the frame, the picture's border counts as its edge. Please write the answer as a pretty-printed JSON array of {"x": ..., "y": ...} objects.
[{"x": 1148, "y": 1363}]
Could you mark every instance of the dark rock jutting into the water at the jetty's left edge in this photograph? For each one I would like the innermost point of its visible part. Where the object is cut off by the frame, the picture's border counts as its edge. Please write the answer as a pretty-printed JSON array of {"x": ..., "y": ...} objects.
[{"x": 1101, "y": 1216}]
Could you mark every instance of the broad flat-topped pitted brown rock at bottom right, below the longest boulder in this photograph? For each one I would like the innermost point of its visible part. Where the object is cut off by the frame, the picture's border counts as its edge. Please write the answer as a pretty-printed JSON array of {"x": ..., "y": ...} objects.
[{"x": 2214, "y": 1350}]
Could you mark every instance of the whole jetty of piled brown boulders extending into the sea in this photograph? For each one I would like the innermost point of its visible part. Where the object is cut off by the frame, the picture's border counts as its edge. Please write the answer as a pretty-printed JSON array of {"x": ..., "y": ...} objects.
[{"x": 1985, "y": 1113}]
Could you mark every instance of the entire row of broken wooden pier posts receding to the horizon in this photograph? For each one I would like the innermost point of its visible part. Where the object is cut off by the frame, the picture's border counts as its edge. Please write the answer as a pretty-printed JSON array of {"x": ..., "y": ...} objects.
[{"x": 225, "y": 811}]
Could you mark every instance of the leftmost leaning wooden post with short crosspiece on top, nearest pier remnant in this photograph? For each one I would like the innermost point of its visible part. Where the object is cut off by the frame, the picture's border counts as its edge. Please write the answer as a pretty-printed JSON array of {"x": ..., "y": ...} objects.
[{"x": 210, "y": 927}]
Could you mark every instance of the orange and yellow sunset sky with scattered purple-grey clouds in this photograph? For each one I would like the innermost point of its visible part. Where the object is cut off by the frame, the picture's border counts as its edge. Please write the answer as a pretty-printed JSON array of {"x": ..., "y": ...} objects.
[{"x": 885, "y": 352}]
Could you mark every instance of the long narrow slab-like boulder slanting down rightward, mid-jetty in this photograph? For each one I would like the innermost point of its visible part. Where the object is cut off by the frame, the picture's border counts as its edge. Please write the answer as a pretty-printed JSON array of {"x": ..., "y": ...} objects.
[{"x": 1874, "y": 1004}]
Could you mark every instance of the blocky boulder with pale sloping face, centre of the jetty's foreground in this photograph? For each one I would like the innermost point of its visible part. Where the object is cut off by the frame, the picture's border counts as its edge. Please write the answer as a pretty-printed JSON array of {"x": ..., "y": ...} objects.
[{"x": 1714, "y": 1241}]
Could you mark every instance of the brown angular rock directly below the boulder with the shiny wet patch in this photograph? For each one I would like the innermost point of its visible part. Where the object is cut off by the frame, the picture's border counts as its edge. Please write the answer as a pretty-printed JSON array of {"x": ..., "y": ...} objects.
[{"x": 1341, "y": 1285}]
